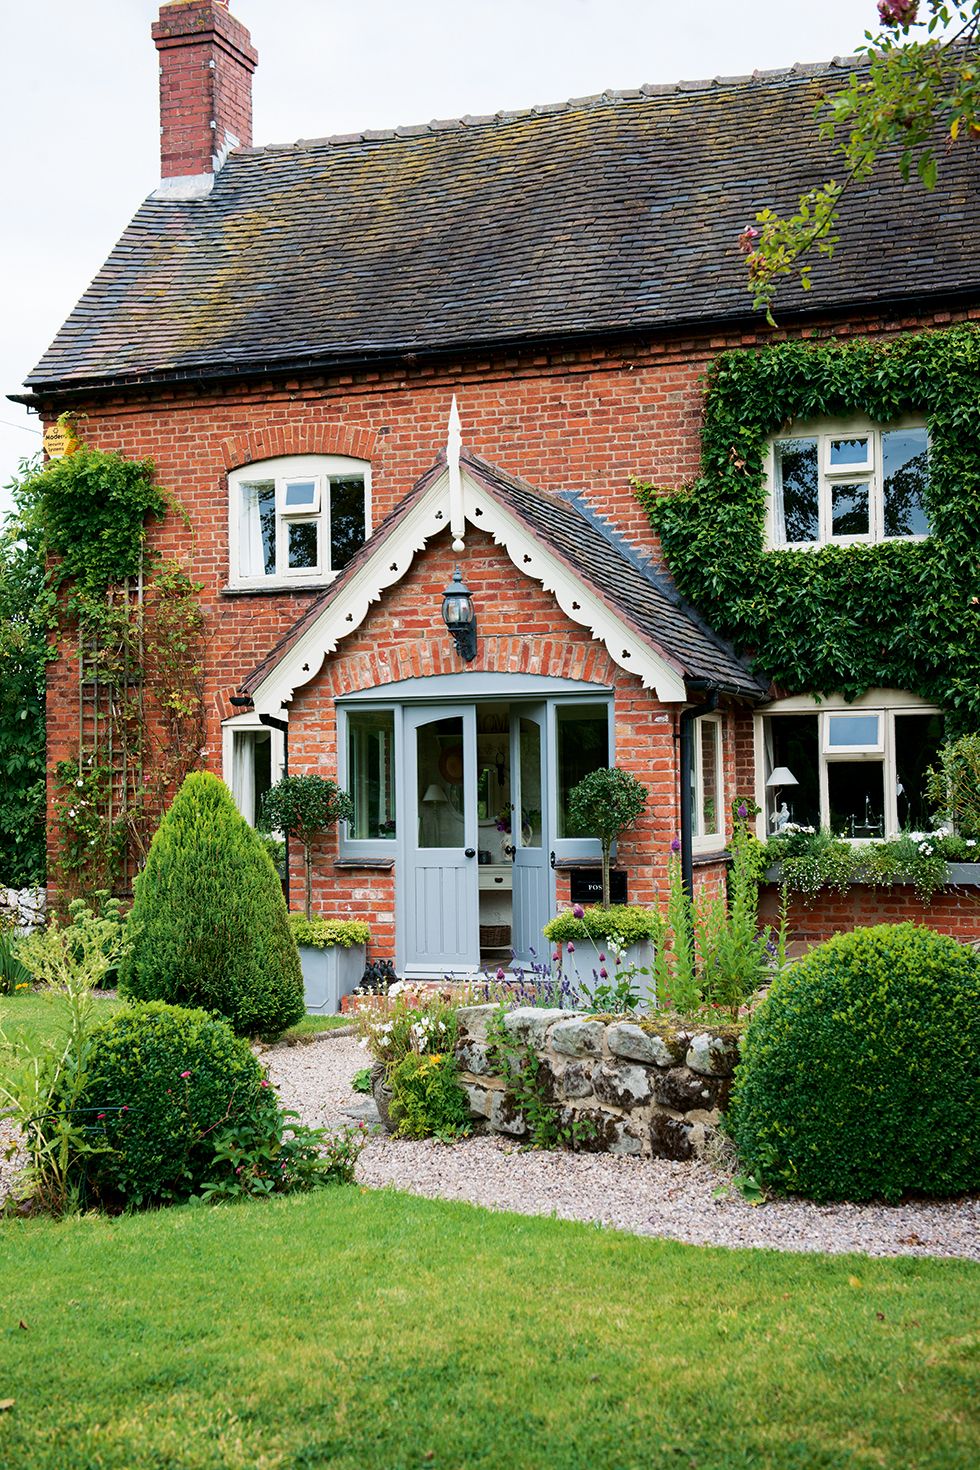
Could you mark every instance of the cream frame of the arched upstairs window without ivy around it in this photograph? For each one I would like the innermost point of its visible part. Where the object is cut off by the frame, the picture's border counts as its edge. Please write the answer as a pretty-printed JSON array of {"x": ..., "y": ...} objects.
[{"x": 284, "y": 471}]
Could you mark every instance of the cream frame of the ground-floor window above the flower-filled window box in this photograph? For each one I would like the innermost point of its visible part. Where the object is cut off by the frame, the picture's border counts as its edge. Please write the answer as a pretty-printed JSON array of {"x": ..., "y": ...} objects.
[{"x": 888, "y": 703}]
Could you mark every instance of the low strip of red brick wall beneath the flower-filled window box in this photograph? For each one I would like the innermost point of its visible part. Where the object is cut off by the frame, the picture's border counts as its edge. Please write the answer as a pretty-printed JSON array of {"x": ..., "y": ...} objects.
[{"x": 953, "y": 911}]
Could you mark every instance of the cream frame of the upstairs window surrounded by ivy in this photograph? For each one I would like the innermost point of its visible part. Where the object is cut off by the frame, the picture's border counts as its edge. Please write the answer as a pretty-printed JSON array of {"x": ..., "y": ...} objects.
[{"x": 872, "y": 474}]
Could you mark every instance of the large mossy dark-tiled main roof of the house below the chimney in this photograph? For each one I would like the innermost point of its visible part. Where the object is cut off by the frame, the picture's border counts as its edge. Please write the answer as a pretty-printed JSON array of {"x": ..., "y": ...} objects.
[{"x": 602, "y": 215}]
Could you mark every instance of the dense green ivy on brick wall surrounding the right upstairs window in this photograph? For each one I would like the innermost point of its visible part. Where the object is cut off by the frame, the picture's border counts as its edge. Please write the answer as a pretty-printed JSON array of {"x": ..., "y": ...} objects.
[{"x": 901, "y": 615}]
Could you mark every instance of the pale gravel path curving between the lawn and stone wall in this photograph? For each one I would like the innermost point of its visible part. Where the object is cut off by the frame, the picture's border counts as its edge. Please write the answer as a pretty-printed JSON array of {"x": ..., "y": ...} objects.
[{"x": 646, "y": 1197}]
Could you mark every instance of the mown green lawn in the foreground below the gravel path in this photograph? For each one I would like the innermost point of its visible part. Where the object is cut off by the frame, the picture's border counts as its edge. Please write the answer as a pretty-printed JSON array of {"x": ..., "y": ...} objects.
[{"x": 372, "y": 1331}]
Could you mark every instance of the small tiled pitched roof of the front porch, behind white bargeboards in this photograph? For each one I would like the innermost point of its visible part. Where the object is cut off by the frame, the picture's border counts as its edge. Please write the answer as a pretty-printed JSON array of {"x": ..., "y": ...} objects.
[{"x": 635, "y": 590}]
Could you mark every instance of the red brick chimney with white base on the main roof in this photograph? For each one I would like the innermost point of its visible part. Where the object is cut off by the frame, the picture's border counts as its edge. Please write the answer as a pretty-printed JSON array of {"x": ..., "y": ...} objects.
[{"x": 206, "y": 65}]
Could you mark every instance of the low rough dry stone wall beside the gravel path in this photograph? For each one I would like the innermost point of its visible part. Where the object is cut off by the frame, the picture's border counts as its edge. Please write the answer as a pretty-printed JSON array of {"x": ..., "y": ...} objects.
[{"x": 646, "y": 1087}]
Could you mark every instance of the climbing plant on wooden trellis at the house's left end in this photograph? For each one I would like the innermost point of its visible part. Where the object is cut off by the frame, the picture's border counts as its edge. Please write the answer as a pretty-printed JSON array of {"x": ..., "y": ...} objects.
[{"x": 131, "y": 624}]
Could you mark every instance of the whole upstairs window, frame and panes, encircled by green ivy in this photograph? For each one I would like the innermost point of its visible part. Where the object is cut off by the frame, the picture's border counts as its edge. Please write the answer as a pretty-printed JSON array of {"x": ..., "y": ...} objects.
[{"x": 837, "y": 486}]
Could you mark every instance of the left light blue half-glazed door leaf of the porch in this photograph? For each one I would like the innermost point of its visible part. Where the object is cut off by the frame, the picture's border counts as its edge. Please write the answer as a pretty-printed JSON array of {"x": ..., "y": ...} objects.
[{"x": 440, "y": 899}]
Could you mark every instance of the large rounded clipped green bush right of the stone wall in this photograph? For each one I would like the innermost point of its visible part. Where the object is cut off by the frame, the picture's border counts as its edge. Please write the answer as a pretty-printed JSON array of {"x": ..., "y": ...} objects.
[{"x": 859, "y": 1074}]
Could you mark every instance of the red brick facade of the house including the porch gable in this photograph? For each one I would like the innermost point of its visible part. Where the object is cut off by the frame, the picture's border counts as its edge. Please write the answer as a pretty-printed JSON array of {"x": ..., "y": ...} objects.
[{"x": 568, "y": 421}]
